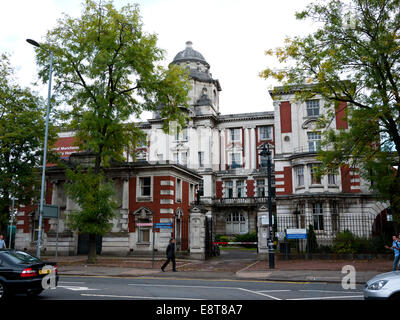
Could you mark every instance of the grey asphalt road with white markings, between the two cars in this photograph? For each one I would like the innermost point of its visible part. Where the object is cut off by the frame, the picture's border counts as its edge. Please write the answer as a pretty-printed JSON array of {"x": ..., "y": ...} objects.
[{"x": 160, "y": 288}]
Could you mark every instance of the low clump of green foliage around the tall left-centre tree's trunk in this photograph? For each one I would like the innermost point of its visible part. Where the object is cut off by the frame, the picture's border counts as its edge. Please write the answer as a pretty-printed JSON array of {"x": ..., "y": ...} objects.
[{"x": 94, "y": 196}]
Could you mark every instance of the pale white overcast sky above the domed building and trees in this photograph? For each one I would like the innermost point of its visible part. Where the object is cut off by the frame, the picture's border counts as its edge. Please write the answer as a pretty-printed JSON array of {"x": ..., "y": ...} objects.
[{"x": 232, "y": 35}]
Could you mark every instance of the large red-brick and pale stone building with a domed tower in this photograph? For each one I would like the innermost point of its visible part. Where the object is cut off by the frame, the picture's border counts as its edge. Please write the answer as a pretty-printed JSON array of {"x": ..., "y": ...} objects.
[{"x": 218, "y": 154}]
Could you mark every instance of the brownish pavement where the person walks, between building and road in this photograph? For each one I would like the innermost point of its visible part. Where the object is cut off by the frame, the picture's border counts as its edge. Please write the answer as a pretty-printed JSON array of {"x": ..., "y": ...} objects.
[{"x": 227, "y": 266}]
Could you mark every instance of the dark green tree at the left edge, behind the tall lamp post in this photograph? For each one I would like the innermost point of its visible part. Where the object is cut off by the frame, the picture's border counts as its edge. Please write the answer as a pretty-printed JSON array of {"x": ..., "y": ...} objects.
[{"x": 21, "y": 142}]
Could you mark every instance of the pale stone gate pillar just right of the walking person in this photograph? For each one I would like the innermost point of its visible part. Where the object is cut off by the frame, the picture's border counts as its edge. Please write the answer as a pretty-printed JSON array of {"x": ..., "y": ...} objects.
[{"x": 197, "y": 232}]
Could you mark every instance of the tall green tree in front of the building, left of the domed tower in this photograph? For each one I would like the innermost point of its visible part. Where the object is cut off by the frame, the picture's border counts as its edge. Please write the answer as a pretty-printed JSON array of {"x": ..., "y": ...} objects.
[{"x": 107, "y": 69}]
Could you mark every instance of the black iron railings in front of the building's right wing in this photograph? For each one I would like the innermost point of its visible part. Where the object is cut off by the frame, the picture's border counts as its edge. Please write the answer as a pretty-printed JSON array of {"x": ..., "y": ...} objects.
[{"x": 326, "y": 227}]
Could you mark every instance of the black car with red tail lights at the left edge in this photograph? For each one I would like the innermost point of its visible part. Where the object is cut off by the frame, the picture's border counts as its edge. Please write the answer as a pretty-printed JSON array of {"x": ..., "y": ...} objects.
[{"x": 21, "y": 272}]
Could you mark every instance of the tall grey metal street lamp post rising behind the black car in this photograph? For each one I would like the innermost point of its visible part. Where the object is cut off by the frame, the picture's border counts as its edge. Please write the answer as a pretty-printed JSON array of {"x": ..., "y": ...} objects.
[{"x": 34, "y": 43}]
